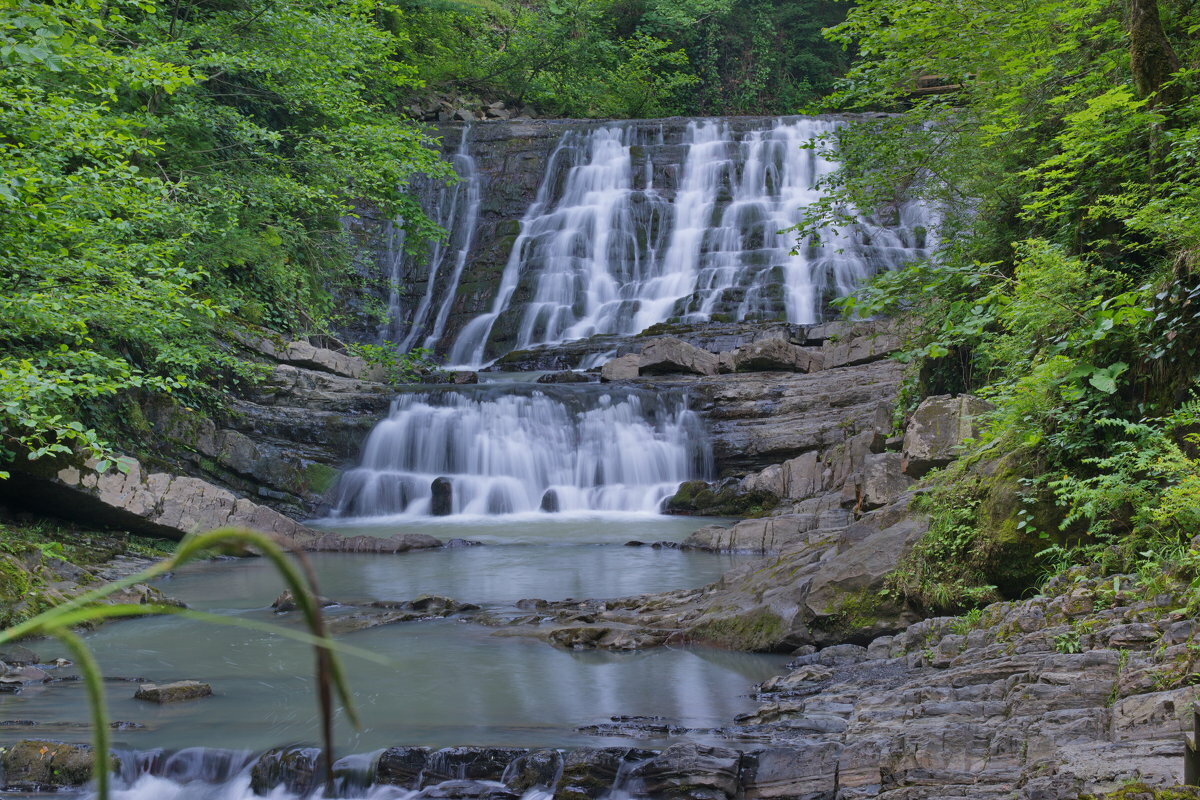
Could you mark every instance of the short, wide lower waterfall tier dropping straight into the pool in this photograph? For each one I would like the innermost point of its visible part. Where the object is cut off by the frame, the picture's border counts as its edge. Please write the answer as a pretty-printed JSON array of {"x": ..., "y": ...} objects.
[{"x": 525, "y": 448}]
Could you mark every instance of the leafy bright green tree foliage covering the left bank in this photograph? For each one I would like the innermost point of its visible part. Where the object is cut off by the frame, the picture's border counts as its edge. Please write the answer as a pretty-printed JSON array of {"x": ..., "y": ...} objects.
[{"x": 169, "y": 172}]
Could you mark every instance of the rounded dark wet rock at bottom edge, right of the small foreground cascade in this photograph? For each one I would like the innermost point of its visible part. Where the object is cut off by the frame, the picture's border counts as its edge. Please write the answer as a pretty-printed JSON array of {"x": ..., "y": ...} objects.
[{"x": 691, "y": 771}]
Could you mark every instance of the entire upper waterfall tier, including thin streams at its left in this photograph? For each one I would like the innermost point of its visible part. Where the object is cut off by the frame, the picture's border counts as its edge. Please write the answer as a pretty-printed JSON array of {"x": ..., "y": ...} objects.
[{"x": 565, "y": 231}]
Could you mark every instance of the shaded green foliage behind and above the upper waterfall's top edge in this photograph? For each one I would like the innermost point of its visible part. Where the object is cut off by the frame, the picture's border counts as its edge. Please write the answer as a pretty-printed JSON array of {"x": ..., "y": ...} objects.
[{"x": 627, "y": 58}]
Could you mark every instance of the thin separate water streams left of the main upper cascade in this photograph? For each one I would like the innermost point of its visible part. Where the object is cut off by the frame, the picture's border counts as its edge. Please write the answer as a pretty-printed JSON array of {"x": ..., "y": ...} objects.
[{"x": 455, "y": 208}]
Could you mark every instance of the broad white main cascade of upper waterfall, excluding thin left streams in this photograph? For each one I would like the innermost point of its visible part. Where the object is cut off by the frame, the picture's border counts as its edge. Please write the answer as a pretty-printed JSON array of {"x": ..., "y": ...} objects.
[{"x": 628, "y": 231}]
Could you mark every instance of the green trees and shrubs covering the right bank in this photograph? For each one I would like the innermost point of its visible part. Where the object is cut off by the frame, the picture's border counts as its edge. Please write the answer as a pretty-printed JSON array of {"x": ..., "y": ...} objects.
[{"x": 1064, "y": 288}]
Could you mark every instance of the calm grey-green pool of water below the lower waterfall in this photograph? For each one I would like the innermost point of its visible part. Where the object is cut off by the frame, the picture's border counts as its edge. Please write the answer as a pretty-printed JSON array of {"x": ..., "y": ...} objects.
[{"x": 446, "y": 682}]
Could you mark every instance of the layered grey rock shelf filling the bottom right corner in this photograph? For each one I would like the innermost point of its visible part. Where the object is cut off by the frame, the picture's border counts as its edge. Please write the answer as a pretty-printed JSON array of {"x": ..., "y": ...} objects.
[{"x": 998, "y": 707}]
